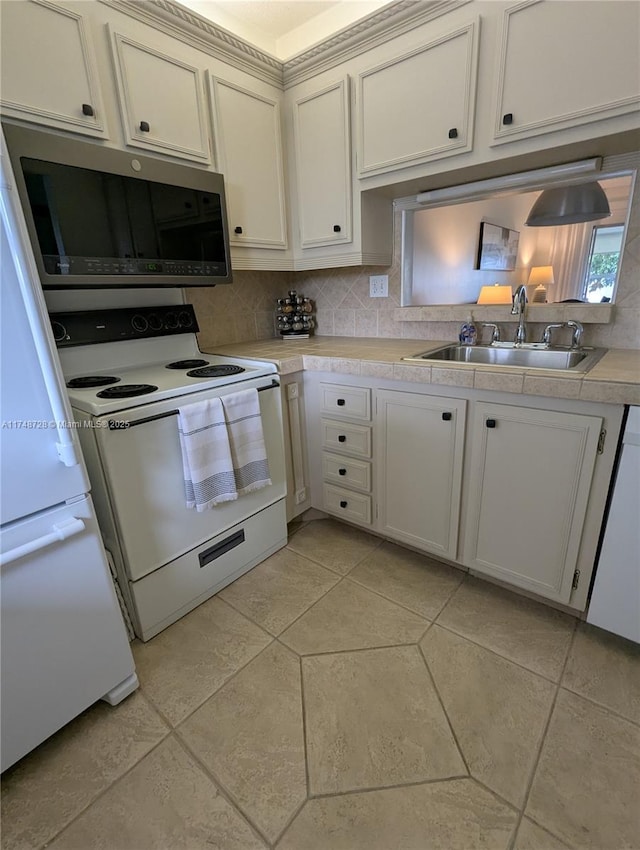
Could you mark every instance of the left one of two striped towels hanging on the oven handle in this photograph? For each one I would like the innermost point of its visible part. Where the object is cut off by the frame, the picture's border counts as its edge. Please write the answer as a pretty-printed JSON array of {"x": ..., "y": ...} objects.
[{"x": 206, "y": 455}]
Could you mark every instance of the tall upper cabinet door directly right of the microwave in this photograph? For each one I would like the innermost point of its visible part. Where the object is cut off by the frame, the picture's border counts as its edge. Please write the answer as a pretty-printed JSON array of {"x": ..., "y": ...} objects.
[{"x": 248, "y": 146}]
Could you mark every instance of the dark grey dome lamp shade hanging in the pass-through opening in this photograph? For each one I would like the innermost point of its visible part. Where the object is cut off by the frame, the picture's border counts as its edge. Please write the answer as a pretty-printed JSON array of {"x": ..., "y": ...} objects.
[{"x": 569, "y": 205}]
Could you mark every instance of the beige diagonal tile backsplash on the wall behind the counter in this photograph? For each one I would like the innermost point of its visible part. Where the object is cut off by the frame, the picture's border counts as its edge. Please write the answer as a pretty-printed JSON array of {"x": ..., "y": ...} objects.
[{"x": 245, "y": 310}]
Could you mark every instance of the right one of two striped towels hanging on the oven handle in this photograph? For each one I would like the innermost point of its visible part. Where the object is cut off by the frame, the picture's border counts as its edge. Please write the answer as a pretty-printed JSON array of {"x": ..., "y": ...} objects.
[{"x": 248, "y": 451}]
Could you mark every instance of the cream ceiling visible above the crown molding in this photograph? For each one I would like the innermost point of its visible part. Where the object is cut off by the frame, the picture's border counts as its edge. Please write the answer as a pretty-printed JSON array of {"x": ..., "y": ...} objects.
[{"x": 284, "y": 27}]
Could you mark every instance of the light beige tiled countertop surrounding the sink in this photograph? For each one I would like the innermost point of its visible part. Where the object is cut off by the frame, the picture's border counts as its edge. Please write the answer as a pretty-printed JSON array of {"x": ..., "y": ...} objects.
[{"x": 615, "y": 379}]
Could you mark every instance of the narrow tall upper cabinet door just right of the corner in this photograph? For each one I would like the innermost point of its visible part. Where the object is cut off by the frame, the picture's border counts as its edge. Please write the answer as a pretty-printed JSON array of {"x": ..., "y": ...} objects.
[{"x": 323, "y": 166}]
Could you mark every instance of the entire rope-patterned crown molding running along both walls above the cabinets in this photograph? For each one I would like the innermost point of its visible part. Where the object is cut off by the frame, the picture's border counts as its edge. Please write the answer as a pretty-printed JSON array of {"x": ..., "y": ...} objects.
[{"x": 196, "y": 31}]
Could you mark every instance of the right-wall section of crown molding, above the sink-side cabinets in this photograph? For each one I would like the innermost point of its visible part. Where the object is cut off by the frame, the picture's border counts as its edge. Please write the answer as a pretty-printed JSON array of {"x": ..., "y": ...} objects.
[{"x": 369, "y": 32}]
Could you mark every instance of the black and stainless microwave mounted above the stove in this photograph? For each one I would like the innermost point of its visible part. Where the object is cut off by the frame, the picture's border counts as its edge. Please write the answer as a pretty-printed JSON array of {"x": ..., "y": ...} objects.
[{"x": 101, "y": 218}]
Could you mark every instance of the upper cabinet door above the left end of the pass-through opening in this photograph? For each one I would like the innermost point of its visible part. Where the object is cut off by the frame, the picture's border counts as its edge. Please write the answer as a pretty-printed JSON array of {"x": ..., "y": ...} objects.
[{"x": 419, "y": 106}]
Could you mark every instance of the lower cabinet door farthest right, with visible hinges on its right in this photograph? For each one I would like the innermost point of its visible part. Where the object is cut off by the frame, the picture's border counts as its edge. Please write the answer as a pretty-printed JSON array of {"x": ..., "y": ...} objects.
[{"x": 528, "y": 494}]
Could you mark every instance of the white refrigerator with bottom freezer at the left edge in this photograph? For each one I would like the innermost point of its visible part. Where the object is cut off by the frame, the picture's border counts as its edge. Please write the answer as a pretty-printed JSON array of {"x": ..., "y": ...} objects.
[{"x": 63, "y": 640}]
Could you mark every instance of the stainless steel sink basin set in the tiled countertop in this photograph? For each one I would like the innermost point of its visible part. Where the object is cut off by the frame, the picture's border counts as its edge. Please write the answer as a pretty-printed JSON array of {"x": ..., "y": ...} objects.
[{"x": 528, "y": 356}]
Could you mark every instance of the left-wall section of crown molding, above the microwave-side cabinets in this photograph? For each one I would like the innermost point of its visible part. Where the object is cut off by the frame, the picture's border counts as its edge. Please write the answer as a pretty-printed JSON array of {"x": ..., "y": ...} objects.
[{"x": 194, "y": 30}]
